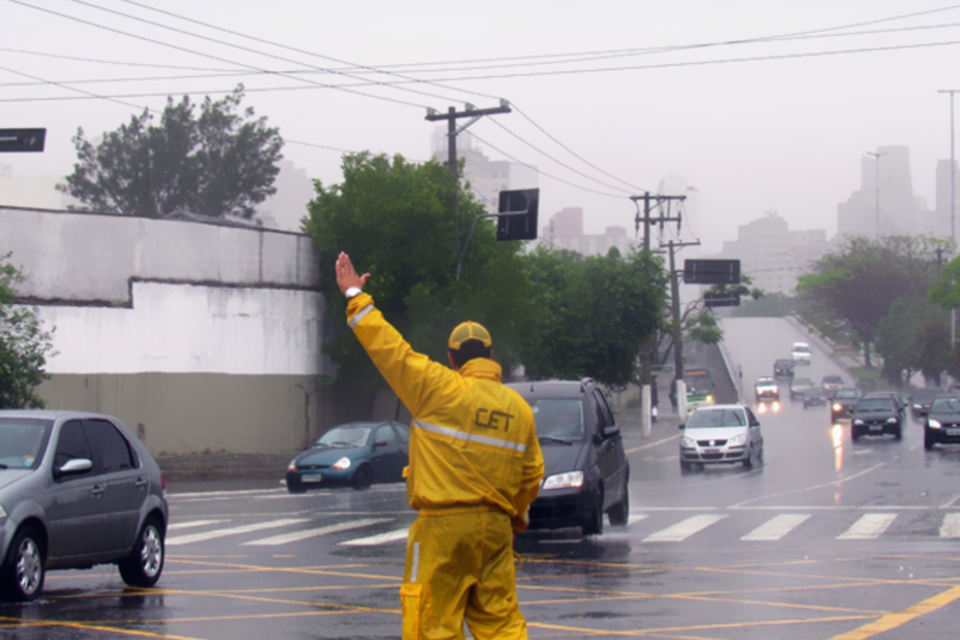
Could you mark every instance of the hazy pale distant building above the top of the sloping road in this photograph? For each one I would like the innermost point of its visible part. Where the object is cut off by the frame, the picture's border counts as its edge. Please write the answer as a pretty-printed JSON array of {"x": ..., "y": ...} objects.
[{"x": 774, "y": 256}]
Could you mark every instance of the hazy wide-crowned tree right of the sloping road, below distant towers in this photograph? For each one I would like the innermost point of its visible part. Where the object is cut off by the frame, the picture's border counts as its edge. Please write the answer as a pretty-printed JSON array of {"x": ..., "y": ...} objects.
[{"x": 855, "y": 286}]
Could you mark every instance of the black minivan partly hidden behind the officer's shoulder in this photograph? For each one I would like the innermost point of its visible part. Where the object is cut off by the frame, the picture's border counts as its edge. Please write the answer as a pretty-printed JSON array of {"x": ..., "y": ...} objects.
[{"x": 586, "y": 470}]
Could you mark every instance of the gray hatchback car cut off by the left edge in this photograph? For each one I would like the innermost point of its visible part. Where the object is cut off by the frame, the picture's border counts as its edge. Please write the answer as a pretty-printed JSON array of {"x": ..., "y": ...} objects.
[{"x": 76, "y": 490}]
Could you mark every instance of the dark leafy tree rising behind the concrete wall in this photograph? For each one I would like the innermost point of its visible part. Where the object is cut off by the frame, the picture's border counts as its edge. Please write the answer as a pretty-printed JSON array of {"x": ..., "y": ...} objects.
[{"x": 220, "y": 162}]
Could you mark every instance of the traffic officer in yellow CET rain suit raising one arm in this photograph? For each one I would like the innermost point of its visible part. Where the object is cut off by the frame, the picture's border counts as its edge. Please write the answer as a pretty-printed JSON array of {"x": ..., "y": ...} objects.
[{"x": 475, "y": 467}]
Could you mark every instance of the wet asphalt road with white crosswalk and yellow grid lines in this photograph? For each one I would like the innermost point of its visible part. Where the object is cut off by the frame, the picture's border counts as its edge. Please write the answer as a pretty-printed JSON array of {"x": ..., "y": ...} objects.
[{"x": 828, "y": 540}]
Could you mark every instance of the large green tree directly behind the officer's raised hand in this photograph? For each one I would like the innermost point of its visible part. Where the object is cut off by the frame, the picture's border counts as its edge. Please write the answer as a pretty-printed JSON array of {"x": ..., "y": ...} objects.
[{"x": 393, "y": 218}]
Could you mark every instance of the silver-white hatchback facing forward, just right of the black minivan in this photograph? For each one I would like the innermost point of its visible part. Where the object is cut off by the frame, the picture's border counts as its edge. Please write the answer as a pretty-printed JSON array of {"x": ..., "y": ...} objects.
[{"x": 721, "y": 434}]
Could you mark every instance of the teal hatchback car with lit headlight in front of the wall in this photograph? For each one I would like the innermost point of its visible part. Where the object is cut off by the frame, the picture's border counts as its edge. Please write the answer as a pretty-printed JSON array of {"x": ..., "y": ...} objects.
[{"x": 355, "y": 454}]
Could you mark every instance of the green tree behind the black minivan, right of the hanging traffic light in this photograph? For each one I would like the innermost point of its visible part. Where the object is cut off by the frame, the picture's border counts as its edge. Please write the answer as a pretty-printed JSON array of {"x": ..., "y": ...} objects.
[{"x": 592, "y": 314}]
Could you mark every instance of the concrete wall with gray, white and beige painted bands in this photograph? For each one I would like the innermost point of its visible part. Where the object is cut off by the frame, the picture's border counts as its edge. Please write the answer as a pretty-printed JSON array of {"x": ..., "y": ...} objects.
[{"x": 202, "y": 336}]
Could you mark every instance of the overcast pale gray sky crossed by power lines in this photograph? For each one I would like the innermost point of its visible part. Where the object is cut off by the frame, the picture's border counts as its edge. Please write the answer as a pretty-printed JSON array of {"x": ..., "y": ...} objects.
[{"x": 771, "y": 124}]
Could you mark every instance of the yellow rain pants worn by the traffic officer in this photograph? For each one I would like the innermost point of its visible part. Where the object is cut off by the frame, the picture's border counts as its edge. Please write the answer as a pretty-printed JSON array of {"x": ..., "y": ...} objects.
[{"x": 460, "y": 567}]
